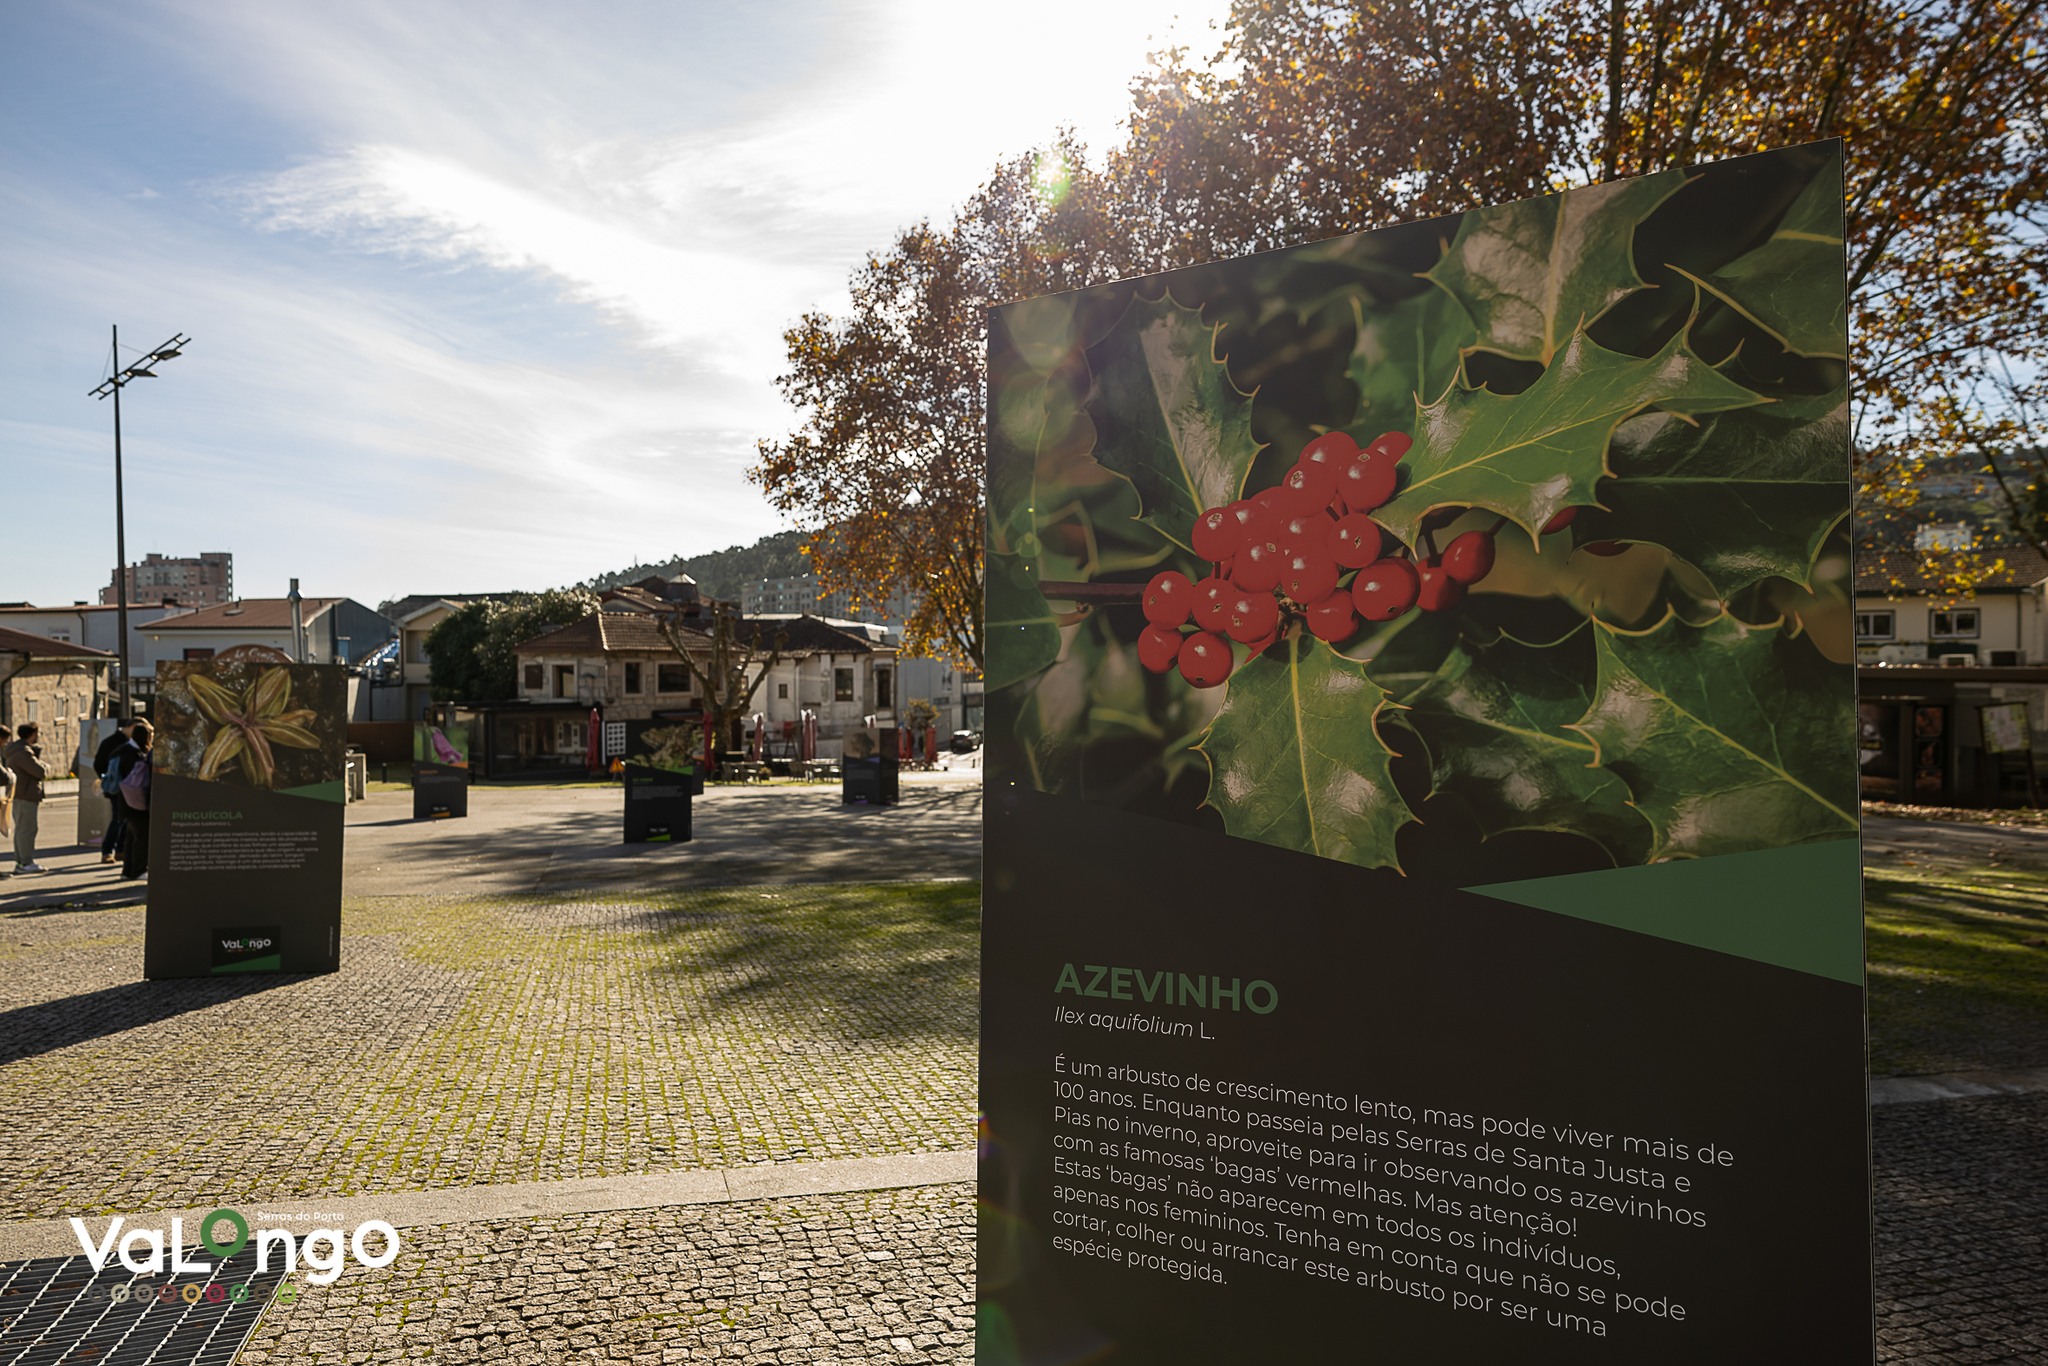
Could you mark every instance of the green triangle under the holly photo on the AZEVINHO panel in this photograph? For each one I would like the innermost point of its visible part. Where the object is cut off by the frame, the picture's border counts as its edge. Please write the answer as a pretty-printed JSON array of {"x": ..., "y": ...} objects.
[{"x": 1799, "y": 906}]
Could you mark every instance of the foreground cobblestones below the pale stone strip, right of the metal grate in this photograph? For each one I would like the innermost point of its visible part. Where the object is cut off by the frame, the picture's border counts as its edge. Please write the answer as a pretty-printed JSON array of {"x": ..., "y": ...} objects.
[{"x": 882, "y": 1277}]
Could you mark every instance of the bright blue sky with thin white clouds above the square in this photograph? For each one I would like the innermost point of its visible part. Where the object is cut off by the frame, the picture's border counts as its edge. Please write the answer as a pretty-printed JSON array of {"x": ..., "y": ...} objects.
[{"x": 480, "y": 296}]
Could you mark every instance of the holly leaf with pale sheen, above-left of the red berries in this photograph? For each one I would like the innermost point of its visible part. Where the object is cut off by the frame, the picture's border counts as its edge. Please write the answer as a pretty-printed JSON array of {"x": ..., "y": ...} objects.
[{"x": 1168, "y": 417}]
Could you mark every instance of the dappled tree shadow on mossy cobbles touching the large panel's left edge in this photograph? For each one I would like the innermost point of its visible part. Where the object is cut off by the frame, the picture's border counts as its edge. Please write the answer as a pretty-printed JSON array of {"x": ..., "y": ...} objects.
[{"x": 853, "y": 964}]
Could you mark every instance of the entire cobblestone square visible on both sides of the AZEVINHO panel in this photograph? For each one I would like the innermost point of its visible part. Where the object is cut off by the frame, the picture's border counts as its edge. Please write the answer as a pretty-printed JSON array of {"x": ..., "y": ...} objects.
[{"x": 603, "y": 1017}]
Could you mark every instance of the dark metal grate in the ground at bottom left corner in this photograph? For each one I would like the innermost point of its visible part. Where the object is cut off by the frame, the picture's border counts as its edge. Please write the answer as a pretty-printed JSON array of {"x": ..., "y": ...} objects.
[{"x": 60, "y": 1312}]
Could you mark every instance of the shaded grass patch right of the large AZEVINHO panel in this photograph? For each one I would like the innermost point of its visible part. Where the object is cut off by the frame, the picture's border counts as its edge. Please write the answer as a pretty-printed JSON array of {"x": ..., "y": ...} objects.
[{"x": 1959, "y": 970}]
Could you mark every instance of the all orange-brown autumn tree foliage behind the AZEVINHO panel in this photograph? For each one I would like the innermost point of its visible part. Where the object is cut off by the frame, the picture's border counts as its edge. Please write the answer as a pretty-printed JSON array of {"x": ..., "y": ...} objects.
[{"x": 1322, "y": 120}]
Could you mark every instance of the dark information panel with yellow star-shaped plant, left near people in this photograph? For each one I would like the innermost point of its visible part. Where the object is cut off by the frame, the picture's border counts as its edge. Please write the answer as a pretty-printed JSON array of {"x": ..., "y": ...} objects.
[{"x": 247, "y": 812}]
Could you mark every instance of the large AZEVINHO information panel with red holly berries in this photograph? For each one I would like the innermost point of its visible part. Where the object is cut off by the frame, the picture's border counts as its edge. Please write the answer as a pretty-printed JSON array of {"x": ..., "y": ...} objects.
[{"x": 1422, "y": 843}]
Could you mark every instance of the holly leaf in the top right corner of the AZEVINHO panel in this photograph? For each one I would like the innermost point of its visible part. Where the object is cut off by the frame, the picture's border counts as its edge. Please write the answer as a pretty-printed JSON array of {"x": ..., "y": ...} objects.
[{"x": 1795, "y": 286}]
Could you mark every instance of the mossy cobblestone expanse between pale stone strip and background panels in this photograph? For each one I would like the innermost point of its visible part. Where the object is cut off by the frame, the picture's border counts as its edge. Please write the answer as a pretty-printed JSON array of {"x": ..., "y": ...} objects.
[{"x": 476, "y": 1041}]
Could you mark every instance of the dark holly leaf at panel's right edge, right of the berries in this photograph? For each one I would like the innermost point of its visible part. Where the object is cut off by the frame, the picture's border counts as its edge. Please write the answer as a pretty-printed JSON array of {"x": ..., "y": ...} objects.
[{"x": 1742, "y": 497}]
